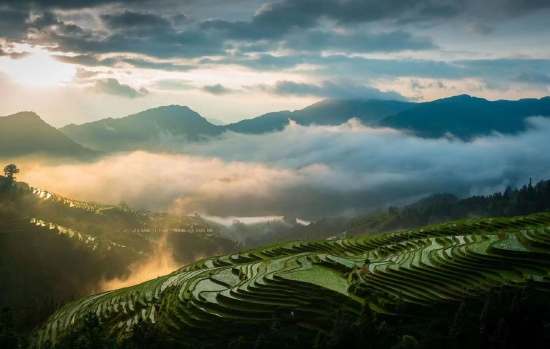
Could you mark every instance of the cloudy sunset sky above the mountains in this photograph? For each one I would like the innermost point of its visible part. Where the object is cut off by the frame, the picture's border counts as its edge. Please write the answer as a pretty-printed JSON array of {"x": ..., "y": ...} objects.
[{"x": 80, "y": 61}]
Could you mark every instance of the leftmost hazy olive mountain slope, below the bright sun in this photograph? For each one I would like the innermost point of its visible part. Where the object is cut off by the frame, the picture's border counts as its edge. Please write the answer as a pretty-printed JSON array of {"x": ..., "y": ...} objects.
[{"x": 25, "y": 134}]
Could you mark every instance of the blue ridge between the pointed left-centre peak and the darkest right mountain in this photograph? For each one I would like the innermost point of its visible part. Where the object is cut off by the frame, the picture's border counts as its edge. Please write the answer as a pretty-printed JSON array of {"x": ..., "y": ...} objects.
[{"x": 326, "y": 112}]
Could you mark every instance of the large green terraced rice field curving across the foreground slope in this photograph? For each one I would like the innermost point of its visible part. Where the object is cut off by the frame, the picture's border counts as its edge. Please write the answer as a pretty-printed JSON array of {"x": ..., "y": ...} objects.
[{"x": 312, "y": 279}]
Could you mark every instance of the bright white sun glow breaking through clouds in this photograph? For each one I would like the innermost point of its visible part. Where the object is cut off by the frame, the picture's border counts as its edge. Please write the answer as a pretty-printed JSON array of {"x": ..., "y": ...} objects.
[{"x": 37, "y": 70}]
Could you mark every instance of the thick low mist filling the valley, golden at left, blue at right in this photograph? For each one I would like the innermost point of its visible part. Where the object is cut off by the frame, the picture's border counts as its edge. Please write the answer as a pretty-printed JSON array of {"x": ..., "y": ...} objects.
[{"x": 308, "y": 172}]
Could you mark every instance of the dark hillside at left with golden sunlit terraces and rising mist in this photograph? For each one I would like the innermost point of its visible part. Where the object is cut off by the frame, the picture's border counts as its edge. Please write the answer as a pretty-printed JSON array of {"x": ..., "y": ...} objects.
[{"x": 53, "y": 246}]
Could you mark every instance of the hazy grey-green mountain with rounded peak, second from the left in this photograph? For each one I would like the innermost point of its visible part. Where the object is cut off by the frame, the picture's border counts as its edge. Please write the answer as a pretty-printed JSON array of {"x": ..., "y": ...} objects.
[{"x": 147, "y": 130}]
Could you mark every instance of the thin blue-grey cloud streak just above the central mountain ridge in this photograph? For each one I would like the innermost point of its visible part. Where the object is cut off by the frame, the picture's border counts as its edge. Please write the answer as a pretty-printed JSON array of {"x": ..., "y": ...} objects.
[{"x": 328, "y": 89}]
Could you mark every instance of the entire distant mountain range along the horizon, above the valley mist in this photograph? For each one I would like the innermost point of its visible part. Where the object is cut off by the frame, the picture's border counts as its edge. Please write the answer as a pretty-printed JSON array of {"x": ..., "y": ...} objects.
[{"x": 157, "y": 129}]
